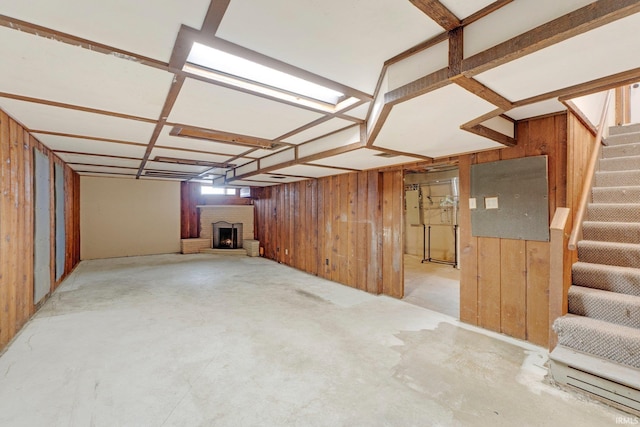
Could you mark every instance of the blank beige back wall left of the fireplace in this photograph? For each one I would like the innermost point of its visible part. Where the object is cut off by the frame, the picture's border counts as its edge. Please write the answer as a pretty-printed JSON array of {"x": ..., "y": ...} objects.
[{"x": 128, "y": 217}]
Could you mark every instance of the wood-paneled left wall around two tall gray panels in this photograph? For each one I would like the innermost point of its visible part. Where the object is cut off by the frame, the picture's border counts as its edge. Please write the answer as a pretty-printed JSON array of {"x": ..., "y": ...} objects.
[{"x": 17, "y": 222}]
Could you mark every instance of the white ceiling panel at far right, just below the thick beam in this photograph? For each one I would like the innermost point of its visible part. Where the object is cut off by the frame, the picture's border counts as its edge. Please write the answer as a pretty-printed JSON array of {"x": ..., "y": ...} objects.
[{"x": 606, "y": 50}]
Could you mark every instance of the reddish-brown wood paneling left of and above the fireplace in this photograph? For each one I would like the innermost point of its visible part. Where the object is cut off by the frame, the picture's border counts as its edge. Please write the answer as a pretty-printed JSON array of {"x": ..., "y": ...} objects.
[{"x": 190, "y": 198}]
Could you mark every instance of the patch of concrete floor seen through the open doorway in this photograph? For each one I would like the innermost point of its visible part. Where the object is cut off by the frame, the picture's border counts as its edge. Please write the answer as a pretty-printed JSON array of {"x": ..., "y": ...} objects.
[{"x": 432, "y": 285}]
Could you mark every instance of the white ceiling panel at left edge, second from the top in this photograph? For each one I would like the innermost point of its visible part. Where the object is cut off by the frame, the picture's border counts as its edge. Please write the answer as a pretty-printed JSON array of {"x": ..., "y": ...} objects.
[{"x": 47, "y": 69}]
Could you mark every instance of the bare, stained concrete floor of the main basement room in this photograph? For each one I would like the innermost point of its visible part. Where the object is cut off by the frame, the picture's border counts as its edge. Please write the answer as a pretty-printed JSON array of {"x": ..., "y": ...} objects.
[{"x": 204, "y": 340}]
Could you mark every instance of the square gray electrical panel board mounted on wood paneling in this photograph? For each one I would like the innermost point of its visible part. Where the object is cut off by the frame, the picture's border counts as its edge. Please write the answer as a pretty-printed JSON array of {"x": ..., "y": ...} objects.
[{"x": 510, "y": 199}]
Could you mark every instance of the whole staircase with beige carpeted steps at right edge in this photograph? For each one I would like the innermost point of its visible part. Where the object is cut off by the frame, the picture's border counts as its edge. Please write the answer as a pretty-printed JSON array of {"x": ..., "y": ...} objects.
[{"x": 599, "y": 339}]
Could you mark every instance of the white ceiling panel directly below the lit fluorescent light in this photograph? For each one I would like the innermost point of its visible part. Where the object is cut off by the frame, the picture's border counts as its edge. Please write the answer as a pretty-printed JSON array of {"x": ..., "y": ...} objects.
[{"x": 214, "y": 107}]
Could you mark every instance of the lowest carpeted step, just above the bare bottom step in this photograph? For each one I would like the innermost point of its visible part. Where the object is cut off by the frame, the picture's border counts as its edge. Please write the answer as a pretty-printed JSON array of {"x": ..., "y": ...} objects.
[{"x": 618, "y": 343}]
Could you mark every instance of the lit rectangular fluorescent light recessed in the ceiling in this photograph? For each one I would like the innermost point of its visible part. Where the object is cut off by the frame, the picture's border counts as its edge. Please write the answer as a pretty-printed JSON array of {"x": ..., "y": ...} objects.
[{"x": 227, "y": 68}]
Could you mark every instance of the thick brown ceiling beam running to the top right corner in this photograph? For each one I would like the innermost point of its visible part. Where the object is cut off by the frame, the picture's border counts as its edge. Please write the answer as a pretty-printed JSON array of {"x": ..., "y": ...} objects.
[{"x": 570, "y": 25}]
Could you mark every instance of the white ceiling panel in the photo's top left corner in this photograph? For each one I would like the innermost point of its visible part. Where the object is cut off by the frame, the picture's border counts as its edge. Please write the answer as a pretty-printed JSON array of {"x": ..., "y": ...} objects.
[{"x": 143, "y": 28}]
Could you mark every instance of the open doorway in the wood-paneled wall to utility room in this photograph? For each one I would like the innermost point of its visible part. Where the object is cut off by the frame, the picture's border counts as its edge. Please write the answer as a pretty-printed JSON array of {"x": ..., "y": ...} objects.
[{"x": 431, "y": 246}]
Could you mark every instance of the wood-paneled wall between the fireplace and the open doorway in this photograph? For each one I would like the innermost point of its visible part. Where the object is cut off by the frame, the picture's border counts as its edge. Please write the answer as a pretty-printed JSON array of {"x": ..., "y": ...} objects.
[{"x": 346, "y": 228}]
